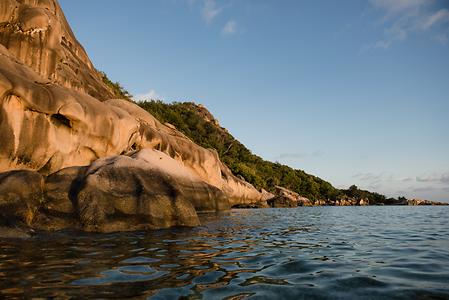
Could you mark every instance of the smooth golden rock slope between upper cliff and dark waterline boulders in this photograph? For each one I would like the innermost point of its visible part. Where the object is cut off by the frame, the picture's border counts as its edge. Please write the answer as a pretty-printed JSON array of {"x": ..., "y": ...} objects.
[{"x": 49, "y": 127}]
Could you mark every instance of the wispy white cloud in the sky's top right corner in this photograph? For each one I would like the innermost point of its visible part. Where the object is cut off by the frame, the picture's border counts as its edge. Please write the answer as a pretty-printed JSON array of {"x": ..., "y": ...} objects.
[{"x": 401, "y": 18}]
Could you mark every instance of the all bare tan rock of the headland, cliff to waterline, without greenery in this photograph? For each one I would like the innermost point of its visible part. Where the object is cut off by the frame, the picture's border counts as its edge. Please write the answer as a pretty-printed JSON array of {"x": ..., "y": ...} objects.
[{"x": 74, "y": 155}]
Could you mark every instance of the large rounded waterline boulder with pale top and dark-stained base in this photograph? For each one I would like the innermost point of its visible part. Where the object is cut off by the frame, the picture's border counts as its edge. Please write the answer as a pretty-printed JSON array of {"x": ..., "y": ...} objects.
[{"x": 146, "y": 190}]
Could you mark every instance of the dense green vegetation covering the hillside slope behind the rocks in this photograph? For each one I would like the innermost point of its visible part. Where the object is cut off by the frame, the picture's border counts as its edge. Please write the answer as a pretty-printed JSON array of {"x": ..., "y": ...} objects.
[{"x": 188, "y": 118}]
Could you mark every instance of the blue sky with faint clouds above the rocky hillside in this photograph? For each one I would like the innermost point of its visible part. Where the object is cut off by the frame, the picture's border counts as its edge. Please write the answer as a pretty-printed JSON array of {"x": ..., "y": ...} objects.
[{"x": 355, "y": 92}]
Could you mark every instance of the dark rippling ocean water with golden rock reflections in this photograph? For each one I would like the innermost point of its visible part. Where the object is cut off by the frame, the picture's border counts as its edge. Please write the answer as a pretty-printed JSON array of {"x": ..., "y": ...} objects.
[{"x": 389, "y": 252}]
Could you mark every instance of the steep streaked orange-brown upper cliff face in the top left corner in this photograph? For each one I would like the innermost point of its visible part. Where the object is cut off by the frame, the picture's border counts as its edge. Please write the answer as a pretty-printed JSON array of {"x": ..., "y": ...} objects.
[{"x": 37, "y": 34}]
